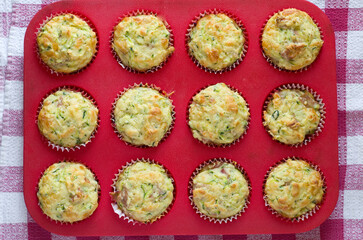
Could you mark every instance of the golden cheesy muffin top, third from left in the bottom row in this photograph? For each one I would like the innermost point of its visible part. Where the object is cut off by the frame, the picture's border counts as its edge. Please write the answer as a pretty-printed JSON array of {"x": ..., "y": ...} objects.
[{"x": 220, "y": 191}]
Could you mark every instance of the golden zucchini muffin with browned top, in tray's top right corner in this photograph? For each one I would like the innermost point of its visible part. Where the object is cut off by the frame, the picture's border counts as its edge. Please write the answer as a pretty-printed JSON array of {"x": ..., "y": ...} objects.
[{"x": 291, "y": 39}]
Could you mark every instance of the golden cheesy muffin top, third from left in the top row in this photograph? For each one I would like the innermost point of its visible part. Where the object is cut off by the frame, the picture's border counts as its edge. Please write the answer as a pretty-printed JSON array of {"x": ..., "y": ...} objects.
[{"x": 216, "y": 41}]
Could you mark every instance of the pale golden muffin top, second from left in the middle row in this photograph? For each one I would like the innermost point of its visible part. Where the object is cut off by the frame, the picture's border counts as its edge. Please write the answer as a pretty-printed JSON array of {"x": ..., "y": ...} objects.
[{"x": 143, "y": 116}]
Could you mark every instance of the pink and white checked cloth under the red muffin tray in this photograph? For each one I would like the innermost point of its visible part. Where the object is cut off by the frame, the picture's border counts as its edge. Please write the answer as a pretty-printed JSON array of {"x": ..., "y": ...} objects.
[{"x": 346, "y": 221}]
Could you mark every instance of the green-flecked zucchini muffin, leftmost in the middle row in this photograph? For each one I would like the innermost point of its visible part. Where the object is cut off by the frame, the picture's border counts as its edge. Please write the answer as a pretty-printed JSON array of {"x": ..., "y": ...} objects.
[{"x": 67, "y": 118}]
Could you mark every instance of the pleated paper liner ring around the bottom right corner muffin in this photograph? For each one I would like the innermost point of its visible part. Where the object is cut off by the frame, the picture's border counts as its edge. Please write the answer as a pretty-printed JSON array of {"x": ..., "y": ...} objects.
[{"x": 309, "y": 213}]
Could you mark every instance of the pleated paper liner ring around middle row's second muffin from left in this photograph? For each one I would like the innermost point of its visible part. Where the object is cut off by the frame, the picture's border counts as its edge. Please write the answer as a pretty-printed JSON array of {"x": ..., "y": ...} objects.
[{"x": 163, "y": 93}]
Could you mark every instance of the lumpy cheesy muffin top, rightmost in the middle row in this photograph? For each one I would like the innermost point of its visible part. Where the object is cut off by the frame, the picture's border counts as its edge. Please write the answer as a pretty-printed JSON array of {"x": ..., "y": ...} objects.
[{"x": 291, "y": 115}]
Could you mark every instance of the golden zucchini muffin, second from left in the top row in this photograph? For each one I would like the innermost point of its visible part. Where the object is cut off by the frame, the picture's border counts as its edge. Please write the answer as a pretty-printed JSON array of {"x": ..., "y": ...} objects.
[{"x": 142, "y": 42}]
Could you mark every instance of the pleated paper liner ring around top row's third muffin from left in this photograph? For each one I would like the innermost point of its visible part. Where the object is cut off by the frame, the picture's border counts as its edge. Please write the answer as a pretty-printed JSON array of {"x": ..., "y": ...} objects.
[{"x": 239, "y": 23}]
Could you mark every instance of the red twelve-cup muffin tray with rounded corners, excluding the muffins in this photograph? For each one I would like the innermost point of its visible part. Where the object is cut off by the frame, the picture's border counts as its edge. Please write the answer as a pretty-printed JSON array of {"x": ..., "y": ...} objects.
[{"x": 180, "y": 153}]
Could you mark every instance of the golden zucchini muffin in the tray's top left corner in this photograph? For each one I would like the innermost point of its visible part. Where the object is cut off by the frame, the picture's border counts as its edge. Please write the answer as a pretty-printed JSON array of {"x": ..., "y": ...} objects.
[{"x": 66, "y": 43}]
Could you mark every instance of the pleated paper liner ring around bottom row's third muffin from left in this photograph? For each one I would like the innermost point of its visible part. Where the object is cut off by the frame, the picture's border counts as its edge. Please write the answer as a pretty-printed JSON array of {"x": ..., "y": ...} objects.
[{"x": 210, "y": 164}]
